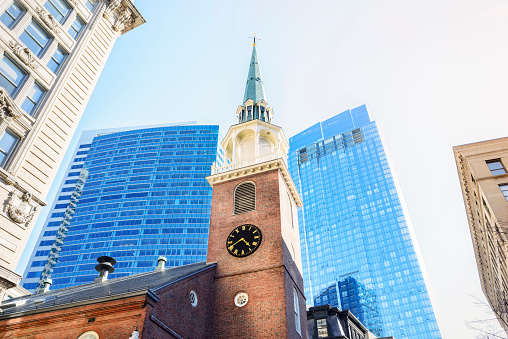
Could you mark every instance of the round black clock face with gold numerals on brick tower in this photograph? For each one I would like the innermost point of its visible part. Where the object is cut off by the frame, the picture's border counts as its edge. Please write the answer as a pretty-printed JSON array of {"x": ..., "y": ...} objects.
[{"x": 243, "y": 240}]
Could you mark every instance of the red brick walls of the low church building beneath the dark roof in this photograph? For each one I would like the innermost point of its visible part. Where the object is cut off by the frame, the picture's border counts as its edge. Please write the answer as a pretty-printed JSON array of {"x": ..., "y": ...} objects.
[{"x": 117, "y": 319}]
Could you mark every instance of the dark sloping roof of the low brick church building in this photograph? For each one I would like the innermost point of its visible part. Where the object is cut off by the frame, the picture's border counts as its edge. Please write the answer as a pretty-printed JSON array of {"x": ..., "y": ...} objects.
[{"x": 149, "y": 282}]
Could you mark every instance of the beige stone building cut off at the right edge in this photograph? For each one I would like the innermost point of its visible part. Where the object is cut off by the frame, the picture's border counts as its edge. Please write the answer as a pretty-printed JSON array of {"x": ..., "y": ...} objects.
[{"x": 484, "y": 181}]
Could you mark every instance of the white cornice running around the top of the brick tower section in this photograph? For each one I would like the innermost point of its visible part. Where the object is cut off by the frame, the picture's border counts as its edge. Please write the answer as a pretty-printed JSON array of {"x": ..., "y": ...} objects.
[{"x": 258, "y": 168}]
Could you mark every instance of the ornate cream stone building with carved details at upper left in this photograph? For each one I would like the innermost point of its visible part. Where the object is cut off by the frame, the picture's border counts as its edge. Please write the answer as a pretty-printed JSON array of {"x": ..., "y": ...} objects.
[{"x": 51, "y": 55}]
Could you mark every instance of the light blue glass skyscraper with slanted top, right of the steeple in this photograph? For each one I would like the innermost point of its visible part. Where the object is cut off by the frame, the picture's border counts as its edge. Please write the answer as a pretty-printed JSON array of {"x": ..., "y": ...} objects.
[{"x": 356, "y": 242}]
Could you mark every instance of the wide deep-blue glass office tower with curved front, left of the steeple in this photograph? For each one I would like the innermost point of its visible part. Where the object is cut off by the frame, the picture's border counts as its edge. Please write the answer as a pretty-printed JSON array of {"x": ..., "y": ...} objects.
[{"x": 144, "y": 195}]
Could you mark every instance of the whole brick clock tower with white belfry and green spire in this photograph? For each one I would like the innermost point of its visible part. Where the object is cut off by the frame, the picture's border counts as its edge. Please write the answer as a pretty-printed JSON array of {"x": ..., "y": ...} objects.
[{"x": 254, "y": 235}]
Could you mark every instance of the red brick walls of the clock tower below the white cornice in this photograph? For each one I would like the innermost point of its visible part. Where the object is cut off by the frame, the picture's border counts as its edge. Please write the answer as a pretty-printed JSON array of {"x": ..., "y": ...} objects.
[{"x": 268, "y": 276}]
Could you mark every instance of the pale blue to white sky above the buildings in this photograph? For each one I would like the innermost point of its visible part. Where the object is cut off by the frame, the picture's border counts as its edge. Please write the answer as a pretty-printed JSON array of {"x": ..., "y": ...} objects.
[{"x": 433, "y": 74}]
